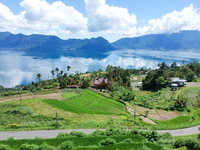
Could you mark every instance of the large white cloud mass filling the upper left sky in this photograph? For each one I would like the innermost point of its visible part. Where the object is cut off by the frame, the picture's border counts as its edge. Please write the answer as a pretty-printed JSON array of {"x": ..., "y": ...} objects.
[{"x": 40, "y": 15}]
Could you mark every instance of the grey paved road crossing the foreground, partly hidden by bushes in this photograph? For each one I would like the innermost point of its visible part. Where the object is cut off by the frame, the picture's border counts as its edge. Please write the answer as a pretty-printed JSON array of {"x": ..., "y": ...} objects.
[{"x": 54, "y": 133}]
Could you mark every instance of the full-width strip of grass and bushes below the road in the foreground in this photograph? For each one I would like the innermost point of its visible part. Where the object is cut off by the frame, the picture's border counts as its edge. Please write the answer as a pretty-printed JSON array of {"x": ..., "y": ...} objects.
[{"x": 108, "y": 139}]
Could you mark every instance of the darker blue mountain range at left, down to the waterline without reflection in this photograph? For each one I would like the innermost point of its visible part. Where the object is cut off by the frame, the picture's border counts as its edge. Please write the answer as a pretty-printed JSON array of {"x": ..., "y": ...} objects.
[{"x": 46, "y": 42}]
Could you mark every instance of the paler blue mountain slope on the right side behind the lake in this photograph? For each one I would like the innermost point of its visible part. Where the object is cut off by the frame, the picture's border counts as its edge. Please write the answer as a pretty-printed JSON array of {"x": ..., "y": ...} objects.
[{"x": 181, "y": 40}]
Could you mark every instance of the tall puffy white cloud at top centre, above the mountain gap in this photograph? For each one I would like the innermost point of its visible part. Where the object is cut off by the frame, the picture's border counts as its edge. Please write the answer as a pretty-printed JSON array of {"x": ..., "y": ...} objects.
[{"x": 108, "y": 19}]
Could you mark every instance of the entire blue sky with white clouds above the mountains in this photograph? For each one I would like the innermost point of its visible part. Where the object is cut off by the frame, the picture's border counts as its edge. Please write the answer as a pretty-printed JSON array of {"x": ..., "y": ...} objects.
[{"x": 111, "y": 19}]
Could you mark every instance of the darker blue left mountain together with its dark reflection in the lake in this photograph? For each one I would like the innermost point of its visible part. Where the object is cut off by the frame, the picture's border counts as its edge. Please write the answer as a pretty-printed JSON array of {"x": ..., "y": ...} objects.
[{"x": 52, "y": 46}]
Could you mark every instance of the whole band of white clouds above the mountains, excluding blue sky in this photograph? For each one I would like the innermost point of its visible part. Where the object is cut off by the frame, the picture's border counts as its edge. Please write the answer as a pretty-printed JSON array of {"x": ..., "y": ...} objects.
[{"x": 40, "y": 16}]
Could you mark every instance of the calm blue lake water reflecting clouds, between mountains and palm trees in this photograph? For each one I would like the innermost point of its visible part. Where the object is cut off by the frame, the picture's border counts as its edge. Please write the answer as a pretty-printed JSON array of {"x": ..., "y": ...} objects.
[{"x": 15, "y": 68}]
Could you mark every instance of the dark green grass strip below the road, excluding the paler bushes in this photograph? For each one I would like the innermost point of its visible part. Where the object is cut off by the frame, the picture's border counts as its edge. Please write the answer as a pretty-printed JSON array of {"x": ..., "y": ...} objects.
[{"x": 87, "y": 142}]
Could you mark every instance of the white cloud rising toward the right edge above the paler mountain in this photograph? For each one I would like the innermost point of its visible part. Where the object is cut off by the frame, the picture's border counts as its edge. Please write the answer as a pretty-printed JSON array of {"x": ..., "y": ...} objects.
[{"x": 187, "y": 19}]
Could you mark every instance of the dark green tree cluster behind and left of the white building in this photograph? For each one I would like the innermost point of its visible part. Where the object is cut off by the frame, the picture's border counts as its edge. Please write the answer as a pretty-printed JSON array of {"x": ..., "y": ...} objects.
[{"x": 160, "y": 78}]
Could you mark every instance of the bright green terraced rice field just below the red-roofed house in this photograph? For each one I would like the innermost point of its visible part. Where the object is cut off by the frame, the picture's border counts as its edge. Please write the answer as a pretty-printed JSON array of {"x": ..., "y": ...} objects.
[{"x": 89, "y": 103}]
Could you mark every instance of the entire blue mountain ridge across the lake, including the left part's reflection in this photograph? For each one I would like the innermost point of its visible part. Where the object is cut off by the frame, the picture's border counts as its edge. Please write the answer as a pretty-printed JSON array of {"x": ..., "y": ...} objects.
[{"x": 49, "y": 46}]
